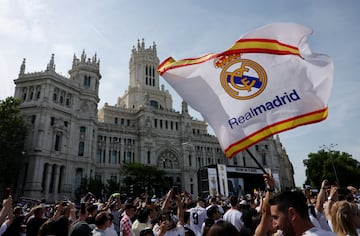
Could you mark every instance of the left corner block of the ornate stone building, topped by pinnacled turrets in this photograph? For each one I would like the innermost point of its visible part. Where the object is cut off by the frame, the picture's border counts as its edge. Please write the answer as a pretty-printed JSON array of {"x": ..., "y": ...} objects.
[{"x": 61, "y": 115}]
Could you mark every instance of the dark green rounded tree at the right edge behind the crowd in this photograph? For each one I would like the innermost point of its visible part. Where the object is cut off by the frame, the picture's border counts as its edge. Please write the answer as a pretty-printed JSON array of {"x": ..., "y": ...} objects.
[{"x": 335, "y": 166}]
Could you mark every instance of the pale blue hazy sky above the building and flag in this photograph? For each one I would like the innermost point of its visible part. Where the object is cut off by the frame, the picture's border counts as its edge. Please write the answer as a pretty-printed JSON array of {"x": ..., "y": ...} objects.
[{"x": 35, "y": 29}]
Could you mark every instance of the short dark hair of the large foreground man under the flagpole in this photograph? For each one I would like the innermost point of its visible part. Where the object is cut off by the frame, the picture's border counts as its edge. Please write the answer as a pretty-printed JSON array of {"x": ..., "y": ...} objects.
[{"x": 294, "y": 199}]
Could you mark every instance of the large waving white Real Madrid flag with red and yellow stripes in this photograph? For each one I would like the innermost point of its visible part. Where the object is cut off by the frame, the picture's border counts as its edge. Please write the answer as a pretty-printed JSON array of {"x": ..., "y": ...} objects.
[{"x": 269, "y": 81}]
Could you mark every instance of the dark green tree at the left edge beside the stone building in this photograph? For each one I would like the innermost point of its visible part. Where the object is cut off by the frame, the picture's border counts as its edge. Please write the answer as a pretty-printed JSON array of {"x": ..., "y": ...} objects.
[{"x": 12, "y": 139}]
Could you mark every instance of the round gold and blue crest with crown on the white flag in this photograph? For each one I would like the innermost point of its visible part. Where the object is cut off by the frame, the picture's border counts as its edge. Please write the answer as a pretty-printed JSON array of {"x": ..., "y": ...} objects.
[{"x": 241, "y": 78}]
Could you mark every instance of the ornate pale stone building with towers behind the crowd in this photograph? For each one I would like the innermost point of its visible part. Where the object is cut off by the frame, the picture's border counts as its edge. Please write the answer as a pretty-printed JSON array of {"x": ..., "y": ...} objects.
[{"x": 69, "y": 138}]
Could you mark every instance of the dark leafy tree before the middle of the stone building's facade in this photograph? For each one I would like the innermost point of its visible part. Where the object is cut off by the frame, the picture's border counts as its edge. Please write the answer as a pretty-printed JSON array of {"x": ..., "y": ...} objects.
[{"x": 140, "y": 178}]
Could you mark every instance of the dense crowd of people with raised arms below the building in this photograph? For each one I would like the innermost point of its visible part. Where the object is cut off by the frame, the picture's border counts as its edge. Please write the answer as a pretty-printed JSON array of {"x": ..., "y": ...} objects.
[{"x": 328, "y": 211}]
